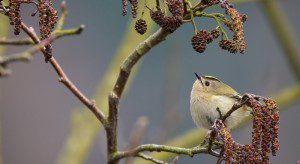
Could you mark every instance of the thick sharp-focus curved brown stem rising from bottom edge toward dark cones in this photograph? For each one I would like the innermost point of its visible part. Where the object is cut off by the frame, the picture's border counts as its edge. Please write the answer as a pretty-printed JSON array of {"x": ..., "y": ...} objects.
[{"x": 120, "y": 84}]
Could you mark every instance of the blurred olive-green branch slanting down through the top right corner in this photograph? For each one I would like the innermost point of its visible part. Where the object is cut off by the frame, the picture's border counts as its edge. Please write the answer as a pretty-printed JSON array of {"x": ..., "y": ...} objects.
[{"x": 284, "y": 34}]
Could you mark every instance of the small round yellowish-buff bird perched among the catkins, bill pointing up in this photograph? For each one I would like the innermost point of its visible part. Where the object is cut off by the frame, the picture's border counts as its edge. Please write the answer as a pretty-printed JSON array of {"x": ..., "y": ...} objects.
[{"x": 209, "y": 94}]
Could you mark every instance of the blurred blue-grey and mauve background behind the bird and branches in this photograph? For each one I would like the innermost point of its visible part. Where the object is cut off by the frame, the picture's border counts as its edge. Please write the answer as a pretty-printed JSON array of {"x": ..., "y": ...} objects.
[{"x": 35, "y": 108}]
